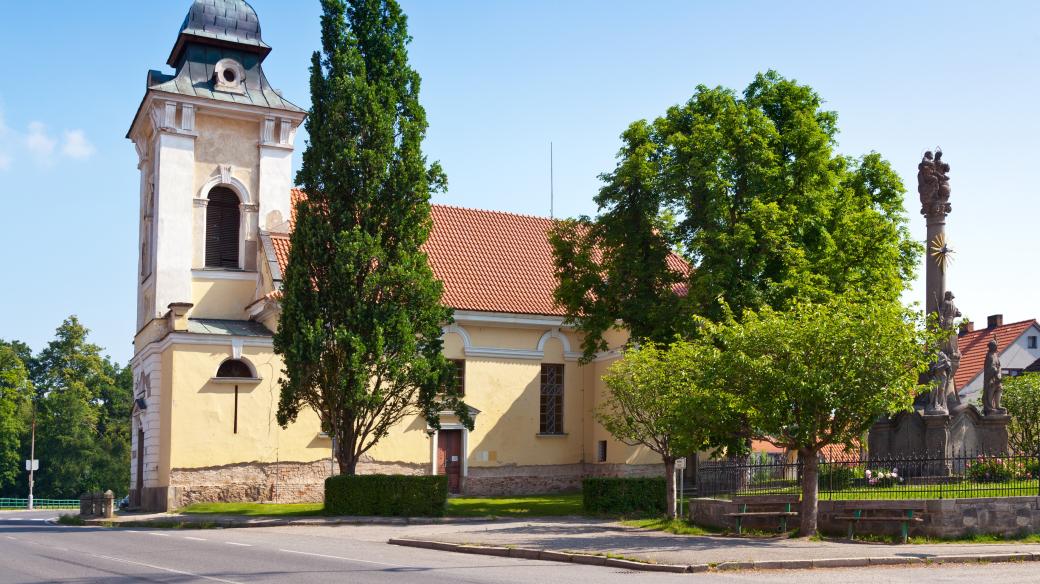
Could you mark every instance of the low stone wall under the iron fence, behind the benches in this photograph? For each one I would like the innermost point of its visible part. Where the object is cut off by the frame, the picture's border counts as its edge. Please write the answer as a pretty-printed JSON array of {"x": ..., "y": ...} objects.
[{"x": 948, "y": 518}]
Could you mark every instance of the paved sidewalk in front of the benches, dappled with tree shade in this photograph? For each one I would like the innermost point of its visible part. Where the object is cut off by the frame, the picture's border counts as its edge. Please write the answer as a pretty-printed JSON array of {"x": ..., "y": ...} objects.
[{"x": 610, "y": 538}]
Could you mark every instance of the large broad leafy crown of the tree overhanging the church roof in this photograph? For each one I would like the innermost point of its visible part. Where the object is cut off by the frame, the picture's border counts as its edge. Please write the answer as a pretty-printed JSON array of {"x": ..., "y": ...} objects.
[{"x": 749, "y": 189}]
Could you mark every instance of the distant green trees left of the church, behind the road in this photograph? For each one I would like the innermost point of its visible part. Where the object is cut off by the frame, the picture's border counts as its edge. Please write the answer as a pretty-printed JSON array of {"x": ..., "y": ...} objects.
[{"x": 83, "y": 403}]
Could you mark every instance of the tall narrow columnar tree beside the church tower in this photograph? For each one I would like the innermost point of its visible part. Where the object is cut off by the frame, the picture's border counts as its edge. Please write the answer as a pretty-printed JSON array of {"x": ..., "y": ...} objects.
[{"x": 362, "y": 312}]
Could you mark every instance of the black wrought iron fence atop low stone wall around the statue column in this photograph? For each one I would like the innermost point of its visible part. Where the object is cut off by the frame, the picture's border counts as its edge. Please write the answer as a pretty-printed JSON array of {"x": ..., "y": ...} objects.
[{"x": 855, "y": 476}]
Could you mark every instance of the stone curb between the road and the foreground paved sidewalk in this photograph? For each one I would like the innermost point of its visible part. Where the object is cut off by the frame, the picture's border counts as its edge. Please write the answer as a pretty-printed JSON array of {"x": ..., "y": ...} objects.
[{"x": 533, "y": 554}]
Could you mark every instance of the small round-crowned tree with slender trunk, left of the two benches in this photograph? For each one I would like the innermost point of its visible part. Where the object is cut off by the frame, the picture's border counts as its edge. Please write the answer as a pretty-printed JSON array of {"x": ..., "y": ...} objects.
[{"x": 658, "y": 399}]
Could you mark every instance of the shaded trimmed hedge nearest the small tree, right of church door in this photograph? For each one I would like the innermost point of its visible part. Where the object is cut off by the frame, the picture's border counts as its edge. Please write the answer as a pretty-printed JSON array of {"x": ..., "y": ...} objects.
[{"x": 617, "y": 495}]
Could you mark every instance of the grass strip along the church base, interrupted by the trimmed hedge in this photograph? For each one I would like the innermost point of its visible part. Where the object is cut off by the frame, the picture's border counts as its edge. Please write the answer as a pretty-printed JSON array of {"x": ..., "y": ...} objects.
[{"x": 536, "y": 507}]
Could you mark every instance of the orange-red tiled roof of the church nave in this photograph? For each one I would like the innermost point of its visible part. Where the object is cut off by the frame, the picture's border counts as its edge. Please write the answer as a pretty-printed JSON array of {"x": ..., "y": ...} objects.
[{"x": 490, "y": 261}]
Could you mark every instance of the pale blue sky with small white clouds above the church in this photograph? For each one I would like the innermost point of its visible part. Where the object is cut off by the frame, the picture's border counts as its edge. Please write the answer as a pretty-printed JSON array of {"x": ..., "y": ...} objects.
[{"x": 501, "y": 81}]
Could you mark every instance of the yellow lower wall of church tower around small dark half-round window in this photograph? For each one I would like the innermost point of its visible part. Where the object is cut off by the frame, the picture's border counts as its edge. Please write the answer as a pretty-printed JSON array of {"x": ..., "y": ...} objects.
[{"x": 203, "y": 414}]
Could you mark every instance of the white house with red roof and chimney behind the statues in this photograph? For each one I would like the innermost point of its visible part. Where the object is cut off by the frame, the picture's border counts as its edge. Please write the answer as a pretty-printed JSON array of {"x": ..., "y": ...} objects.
[{"x": 1017, "y": 343}]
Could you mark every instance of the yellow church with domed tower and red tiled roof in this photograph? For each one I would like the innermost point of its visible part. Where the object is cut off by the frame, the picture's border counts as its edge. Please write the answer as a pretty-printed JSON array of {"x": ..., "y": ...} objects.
[{"x": 216, "y": 145}]
